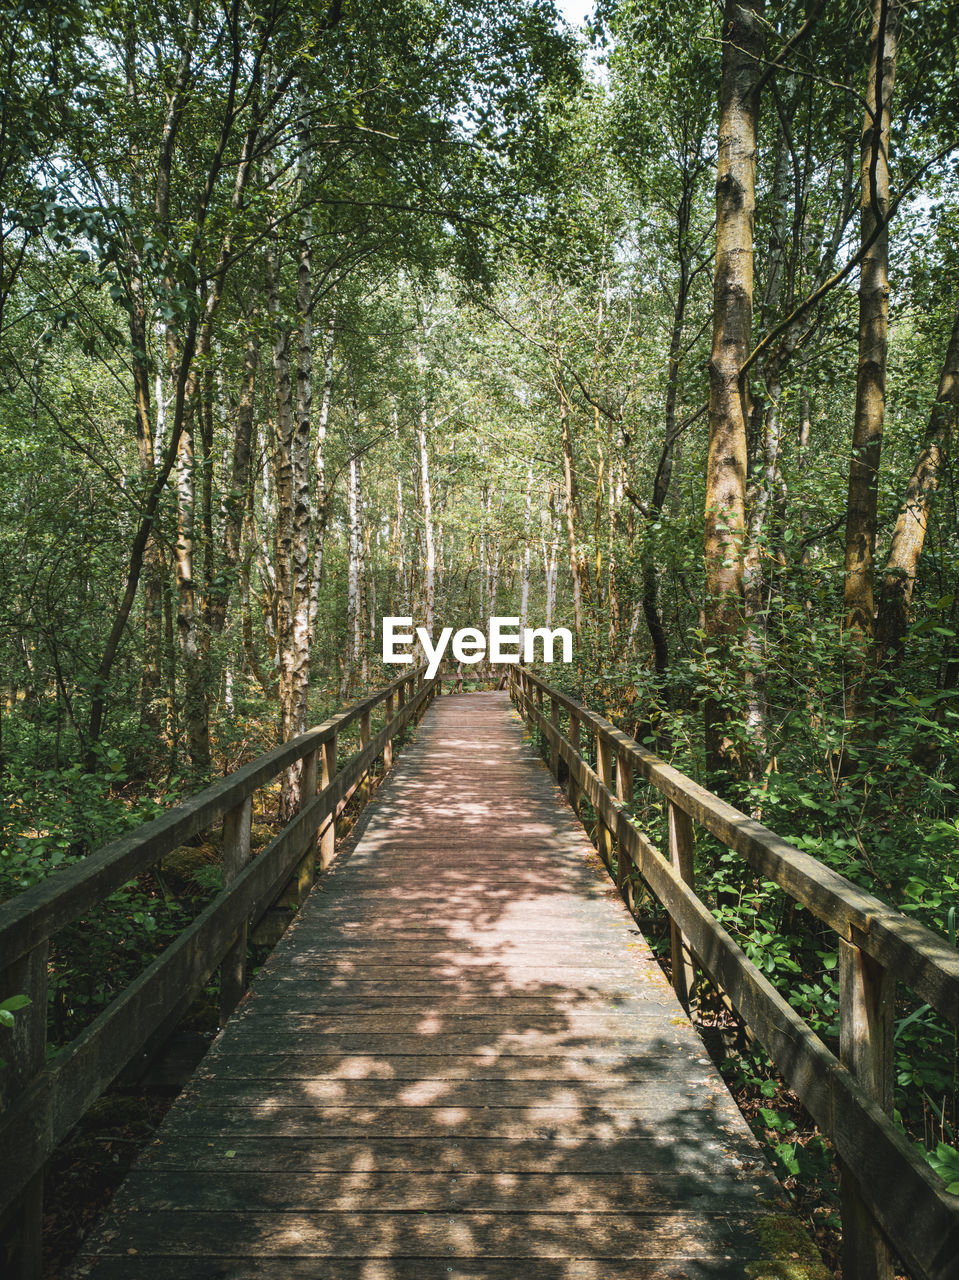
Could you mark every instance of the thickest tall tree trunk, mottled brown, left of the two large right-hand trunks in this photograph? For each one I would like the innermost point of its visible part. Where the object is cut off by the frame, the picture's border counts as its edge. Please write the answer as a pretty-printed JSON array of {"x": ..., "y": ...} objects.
[{"x": 733, "y": 324}]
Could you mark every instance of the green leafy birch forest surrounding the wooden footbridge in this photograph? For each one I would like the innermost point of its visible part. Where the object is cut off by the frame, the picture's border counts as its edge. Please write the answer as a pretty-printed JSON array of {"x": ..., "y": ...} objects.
[{"x": 647, "y": 328}]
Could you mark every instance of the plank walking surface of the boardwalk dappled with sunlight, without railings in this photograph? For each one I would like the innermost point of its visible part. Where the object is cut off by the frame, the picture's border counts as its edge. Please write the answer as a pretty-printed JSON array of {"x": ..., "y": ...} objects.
[{"x": 460, "y": 1063}]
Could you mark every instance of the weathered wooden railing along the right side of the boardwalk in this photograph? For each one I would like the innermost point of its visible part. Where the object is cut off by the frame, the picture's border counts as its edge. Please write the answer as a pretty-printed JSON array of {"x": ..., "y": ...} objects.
[{"x": 890, "y": 1196}]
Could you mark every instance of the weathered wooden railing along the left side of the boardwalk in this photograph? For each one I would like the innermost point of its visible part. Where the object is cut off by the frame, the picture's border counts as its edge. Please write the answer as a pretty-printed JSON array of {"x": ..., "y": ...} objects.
[{"x": 43, "y": 1103}]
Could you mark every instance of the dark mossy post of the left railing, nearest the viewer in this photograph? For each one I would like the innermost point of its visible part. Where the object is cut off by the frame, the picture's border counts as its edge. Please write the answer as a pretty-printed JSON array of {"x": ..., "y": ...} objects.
[{"x": 24, "y": 1048}]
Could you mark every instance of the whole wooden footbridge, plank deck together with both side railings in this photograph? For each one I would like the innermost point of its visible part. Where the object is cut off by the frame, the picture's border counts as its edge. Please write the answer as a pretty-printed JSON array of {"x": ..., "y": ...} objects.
[{"x": 463, "y": 1060}]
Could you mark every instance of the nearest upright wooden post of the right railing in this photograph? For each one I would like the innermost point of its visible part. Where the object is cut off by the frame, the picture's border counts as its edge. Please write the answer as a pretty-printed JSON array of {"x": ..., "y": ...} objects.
[{"x": 867, "y": 998}]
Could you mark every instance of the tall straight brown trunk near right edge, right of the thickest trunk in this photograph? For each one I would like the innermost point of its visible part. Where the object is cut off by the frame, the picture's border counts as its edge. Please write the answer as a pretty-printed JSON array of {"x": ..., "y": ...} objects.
[{"x": 874, "y": 326}]
